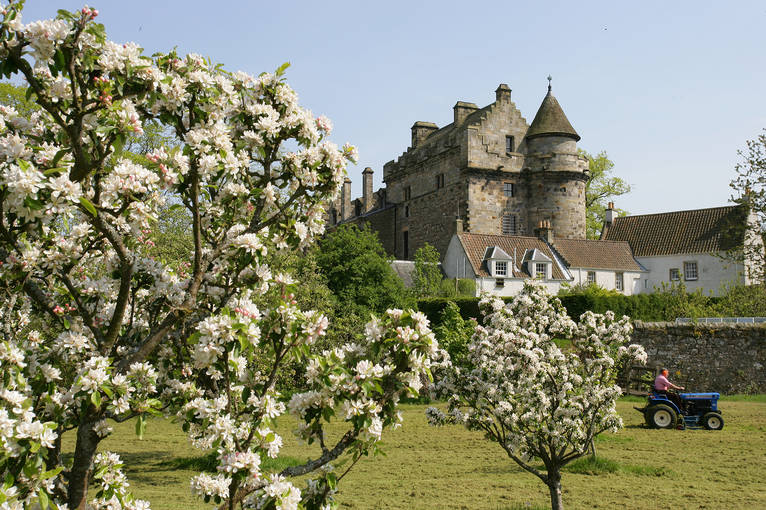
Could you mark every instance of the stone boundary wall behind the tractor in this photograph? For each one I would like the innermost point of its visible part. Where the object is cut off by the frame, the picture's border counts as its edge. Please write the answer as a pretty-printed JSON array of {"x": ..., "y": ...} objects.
[{"x": 727, "y": 358}]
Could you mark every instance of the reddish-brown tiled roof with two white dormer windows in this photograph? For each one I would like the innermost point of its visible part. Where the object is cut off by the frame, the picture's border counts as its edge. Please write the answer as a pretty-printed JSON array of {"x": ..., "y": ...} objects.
[{"x": 475, "y": 246}]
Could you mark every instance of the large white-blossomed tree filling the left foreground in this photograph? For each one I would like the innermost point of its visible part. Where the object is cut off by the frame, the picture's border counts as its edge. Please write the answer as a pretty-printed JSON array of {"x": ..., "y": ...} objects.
[{"x": 96, "y": 331}]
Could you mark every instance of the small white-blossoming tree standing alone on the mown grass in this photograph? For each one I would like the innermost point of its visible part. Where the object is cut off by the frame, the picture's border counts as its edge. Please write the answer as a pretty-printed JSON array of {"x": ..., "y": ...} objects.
[{"x": 540, "y": 402}]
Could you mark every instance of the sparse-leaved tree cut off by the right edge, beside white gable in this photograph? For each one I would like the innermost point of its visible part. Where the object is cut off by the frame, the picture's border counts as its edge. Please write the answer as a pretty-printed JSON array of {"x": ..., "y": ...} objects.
[{"x": 749, "y": 187}]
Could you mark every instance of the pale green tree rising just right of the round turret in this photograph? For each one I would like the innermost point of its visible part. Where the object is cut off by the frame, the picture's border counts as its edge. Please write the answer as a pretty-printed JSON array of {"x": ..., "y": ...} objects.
[{"x": 600, "y": 189}]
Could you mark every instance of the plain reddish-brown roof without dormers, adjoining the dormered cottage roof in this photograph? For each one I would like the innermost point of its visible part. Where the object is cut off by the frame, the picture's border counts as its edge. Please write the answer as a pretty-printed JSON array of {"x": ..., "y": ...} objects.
[{"x": 592, "y": 254}]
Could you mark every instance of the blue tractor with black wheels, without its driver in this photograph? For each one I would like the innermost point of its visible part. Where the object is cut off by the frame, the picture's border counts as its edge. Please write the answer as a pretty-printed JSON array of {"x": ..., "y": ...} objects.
[{"x": 697, "y": 410}]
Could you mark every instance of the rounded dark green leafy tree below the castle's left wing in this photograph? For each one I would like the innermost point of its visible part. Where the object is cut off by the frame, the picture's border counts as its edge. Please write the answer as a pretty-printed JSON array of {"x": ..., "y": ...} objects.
[{"x": 359, "y": 272}]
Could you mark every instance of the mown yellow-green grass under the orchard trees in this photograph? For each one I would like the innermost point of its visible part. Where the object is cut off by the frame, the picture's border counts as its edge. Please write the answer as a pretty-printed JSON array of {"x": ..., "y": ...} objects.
[{"x": 449, "y": 467}]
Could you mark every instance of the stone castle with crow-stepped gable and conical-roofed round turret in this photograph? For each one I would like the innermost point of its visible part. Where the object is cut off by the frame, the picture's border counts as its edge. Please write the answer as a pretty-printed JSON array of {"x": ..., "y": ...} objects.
[{"x": 488, "y": 168}]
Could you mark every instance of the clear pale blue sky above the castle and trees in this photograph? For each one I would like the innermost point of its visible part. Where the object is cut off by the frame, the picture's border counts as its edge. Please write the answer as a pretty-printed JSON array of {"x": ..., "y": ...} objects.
[{"x": 670, "y": 90}]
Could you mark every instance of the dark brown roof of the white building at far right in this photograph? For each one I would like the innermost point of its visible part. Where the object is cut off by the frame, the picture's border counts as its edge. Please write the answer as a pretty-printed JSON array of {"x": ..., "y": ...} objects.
[{"x": 695, "y": 231}]
